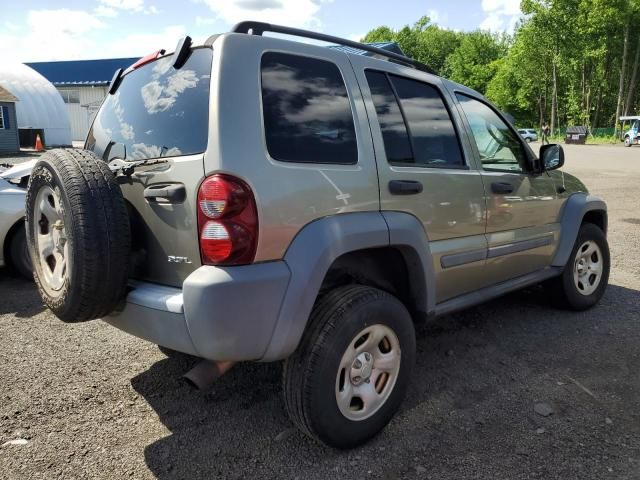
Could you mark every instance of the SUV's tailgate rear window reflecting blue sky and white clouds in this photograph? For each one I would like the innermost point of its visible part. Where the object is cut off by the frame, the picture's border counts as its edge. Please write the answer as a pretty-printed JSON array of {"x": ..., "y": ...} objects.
[{"x": 157, "y": 111}]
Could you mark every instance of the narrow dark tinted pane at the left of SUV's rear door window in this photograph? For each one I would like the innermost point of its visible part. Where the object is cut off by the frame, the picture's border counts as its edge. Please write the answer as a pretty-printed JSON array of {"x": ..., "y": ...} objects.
[{"x": 394, "y": 131}]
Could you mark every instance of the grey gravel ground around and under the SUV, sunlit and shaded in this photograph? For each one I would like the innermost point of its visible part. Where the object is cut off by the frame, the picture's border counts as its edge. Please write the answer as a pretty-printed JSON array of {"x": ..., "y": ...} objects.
[{"x": 93, "y": 402}]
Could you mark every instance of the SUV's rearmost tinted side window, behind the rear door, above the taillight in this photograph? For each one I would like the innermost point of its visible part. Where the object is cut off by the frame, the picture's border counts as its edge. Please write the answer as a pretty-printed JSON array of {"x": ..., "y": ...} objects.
[{"x": 307, "y": 114}]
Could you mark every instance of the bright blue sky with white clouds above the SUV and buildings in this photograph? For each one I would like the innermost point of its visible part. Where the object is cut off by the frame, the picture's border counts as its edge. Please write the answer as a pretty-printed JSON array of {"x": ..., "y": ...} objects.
[{"x": 47, "y": 30}]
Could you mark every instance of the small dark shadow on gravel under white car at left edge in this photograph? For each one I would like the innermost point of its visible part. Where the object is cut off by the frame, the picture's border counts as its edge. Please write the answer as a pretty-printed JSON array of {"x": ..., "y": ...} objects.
[{"x": 18, "y": 296}]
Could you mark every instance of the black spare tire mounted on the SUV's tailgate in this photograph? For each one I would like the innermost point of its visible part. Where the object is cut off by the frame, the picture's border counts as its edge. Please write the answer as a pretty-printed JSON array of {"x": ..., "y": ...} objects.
[{"x": 96, "y": 227}]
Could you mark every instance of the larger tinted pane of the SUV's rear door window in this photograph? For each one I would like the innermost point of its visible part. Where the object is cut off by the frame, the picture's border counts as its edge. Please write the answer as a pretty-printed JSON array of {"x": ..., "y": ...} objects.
[{"x": 435, "y": 143}]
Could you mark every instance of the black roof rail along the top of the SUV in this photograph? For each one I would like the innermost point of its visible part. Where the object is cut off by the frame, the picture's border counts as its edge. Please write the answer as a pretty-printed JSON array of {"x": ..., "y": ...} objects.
[{"x": 258, "y": 28}]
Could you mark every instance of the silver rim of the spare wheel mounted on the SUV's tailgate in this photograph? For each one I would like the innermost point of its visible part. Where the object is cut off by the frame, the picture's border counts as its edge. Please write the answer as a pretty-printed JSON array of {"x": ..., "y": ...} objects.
[{"x": 51, "y": 240}]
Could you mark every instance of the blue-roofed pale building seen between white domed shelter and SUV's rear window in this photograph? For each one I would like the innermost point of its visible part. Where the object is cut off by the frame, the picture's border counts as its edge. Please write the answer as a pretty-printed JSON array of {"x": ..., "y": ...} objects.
[{"x": 83, "y": 85}]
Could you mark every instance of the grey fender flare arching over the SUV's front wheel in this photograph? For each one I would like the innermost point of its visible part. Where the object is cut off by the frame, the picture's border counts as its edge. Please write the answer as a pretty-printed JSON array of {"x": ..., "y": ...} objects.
[{"x": 571, "y": 216}]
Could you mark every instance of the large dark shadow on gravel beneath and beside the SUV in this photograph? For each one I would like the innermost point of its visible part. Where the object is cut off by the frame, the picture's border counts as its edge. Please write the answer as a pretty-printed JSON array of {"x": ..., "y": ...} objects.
[{"x": 477, "y": 376}]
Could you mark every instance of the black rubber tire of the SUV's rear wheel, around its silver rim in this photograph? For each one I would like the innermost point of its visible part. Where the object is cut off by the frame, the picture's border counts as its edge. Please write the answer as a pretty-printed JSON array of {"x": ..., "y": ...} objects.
[{"x": 310, "y": 374}]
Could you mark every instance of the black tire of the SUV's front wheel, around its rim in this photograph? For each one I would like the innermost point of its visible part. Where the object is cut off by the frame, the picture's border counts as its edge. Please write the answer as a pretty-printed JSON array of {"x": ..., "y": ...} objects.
[{"x": 563, "y": 289}]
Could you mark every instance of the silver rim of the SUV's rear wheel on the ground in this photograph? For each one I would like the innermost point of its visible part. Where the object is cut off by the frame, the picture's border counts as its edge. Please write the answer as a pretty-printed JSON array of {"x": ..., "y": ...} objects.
[{"x": 368, "y": 372}]
